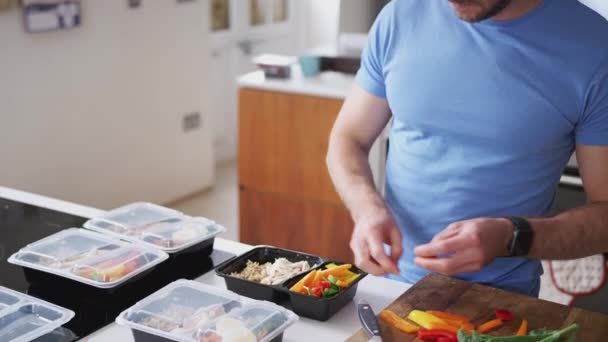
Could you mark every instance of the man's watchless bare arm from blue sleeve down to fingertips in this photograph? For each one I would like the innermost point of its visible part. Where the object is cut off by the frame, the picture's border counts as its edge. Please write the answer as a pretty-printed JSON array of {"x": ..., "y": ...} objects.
[{"x": 359, "y": 123}]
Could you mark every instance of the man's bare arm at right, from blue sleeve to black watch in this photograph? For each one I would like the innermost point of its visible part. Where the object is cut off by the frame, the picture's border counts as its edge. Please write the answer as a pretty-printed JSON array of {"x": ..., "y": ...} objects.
[{"x": 583, "y": 231}]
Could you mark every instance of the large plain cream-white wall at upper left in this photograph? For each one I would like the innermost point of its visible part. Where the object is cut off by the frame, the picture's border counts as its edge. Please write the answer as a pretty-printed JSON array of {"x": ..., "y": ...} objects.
[{"x": 93, "y": 115}]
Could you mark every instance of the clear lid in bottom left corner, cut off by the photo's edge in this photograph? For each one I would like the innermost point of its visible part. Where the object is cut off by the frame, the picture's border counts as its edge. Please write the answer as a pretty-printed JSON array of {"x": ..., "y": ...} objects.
[{"x": 24, "y": 318}]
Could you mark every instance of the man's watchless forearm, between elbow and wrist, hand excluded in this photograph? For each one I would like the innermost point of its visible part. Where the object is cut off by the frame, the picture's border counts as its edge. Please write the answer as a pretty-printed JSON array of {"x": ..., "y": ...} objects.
[{"x": 352, "y": 176}]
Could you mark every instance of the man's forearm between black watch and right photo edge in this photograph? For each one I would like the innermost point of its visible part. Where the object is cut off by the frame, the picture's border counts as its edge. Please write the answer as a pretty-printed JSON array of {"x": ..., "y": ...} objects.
[{"x": 573, "y": 234}]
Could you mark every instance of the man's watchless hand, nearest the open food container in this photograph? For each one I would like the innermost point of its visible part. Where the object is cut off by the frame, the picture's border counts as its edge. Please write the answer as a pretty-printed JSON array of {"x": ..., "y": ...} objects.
[{"x": 372, "y": 230}]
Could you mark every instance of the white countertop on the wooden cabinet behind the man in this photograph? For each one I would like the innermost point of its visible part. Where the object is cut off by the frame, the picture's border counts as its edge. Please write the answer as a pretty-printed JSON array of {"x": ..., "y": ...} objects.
[{"x": 327, "y": 84}]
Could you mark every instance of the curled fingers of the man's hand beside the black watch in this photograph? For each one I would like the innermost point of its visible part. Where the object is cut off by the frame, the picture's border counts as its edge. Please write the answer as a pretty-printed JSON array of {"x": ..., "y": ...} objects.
[{"x": 466, "y": 261}]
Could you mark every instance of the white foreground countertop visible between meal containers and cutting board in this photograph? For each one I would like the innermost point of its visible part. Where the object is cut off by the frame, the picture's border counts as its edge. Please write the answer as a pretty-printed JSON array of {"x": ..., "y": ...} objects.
[{"x": 379, "y": 292}]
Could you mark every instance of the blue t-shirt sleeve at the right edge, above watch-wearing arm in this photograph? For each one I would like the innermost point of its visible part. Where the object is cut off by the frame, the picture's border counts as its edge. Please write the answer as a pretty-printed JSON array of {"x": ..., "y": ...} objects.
[{"x": 593, "y": 126}]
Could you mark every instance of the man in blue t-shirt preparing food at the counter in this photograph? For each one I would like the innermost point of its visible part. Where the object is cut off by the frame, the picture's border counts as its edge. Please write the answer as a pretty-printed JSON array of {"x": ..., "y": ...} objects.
[{"x": 489, "y": 99}]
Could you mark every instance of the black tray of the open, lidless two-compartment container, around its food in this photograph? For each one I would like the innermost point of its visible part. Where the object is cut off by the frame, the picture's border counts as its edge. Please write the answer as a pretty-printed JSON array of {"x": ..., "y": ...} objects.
[{"x": 320, "y": 309}]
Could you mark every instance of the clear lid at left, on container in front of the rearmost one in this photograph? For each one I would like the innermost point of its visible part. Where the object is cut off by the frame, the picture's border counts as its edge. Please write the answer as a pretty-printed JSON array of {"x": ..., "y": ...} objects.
[{"x": 88, "y": 257}]
